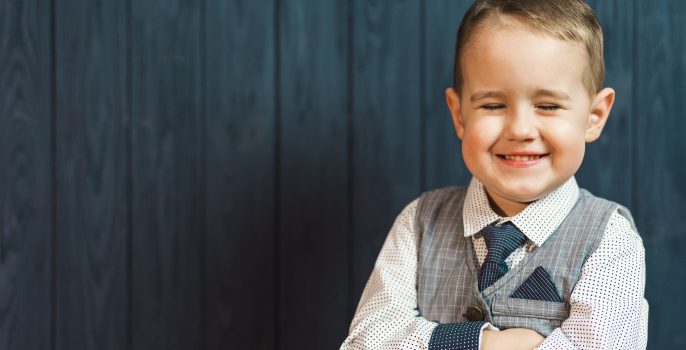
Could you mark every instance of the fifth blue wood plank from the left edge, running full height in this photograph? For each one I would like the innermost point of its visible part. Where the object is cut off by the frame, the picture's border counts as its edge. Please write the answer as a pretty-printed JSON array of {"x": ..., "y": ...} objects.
[{"x": 314, "y": 184}]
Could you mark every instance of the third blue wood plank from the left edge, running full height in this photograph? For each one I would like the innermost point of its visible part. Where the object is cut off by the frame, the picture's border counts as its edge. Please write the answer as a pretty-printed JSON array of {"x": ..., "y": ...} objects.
[{"x": 168, "y": 175}]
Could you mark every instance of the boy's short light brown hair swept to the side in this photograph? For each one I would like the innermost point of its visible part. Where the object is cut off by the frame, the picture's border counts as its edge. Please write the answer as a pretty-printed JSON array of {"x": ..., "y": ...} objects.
[{"x": 571, "y": 20}]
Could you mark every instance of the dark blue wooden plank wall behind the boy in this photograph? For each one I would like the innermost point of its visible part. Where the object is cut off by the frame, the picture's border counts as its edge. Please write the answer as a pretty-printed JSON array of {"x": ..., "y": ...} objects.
[{"x": 221, "y": 174}]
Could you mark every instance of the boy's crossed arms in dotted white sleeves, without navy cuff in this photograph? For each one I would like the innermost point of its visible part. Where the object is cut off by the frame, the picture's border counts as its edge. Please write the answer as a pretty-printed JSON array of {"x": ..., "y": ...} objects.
[{"x": 603, "y": 313}]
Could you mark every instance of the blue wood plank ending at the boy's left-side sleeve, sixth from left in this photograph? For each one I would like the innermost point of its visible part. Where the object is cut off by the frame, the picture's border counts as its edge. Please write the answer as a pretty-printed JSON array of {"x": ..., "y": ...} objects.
[{"x": 386, "y": 110}]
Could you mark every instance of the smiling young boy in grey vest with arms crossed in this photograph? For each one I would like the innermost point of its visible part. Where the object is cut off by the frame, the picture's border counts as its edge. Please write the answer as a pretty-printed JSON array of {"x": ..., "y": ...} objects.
[{"x": 522, "y": 258}]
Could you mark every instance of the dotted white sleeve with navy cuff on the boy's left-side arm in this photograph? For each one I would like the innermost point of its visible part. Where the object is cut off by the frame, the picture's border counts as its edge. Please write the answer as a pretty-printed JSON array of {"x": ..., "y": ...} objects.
[{"x": 387, "y": 315}]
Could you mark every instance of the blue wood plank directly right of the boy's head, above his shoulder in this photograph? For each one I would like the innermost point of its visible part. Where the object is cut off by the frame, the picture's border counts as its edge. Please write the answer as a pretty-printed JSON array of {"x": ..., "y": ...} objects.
[{"x": 606, "y": 169}]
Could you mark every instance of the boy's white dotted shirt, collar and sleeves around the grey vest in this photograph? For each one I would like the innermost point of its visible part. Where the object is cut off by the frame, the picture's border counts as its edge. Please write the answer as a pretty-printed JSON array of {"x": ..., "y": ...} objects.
[{"x": 607, "y": 307}]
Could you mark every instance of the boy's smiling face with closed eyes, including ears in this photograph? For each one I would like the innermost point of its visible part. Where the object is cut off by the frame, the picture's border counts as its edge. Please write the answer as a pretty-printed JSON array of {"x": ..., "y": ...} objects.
[{"x": 523, "y": 113}]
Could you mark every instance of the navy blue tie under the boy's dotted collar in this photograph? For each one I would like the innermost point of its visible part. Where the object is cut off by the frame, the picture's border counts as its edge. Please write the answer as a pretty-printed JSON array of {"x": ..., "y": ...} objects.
[{"x": 501, "y": 242}]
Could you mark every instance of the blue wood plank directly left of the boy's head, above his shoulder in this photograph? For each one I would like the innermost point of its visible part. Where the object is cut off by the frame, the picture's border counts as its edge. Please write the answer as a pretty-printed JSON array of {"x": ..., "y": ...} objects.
[{"x": 442, "y": 149}]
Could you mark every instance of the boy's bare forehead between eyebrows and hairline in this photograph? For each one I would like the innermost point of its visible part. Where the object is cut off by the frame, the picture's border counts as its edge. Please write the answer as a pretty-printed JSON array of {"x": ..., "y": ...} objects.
[{"x": 506, "y": 54}]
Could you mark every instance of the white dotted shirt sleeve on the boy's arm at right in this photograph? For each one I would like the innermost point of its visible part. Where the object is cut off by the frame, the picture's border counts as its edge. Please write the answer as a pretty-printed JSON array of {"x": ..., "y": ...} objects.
[{"x": 607, "y": 307}]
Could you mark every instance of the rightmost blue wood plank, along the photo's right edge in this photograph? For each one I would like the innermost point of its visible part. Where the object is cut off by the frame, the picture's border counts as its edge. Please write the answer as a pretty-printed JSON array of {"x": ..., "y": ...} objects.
[{"x": 660, "y": 164}]
